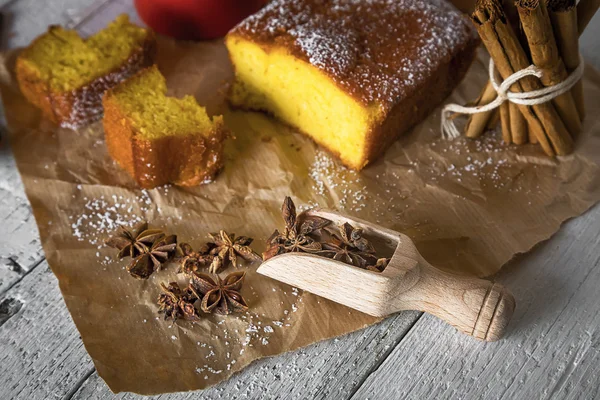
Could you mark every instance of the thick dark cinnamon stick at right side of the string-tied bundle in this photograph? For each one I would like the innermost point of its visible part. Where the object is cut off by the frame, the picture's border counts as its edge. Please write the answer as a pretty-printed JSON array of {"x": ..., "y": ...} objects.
[{"x": 563, "y": 14}]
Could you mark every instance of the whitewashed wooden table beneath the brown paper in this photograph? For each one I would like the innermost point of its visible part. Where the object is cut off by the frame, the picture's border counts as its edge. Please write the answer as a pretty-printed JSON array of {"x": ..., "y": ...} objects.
[{"x": 552, "y": 349}]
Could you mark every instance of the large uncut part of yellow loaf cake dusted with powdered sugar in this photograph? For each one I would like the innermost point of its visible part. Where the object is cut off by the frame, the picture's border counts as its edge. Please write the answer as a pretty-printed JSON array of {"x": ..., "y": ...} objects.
[{"x": 353, "y": 75}]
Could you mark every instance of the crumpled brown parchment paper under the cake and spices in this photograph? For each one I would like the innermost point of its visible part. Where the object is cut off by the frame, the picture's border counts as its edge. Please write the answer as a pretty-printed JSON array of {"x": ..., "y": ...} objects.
[{"x": 469, "y": 205}]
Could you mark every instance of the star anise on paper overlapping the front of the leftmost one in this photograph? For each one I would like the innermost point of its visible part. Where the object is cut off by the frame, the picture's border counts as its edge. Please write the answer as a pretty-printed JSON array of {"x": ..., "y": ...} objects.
[{"x": 153, "y": 257}]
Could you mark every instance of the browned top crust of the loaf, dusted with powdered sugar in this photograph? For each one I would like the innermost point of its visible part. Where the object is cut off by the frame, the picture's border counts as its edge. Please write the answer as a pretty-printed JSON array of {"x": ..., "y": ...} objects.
[{"x": 378, "y": 51}]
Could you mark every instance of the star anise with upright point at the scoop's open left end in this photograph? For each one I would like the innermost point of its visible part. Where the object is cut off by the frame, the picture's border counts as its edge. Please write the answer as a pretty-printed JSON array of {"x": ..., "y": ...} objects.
[{"x": 296, "y": 236}]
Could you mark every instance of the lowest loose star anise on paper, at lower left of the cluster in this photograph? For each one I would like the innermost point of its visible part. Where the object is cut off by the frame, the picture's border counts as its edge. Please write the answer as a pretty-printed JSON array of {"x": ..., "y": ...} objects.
[{"x": 176, "y": 303}]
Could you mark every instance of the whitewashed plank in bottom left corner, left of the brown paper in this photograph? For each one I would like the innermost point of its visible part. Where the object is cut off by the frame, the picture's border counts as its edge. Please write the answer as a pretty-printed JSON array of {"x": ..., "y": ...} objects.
[{"x": 41, "y": 354}]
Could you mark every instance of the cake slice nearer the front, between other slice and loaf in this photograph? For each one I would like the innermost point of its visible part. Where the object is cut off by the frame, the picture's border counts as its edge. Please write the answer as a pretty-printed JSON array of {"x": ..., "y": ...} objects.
[{"x": 160, "y": 139}]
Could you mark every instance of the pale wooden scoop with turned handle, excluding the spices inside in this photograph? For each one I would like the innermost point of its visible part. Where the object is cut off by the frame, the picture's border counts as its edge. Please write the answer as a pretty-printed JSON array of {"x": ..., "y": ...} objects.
[{"x": 474, "y": 306}]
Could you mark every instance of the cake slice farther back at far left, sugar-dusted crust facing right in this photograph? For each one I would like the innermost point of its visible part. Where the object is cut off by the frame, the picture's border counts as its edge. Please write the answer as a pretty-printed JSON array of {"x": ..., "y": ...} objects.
[{"x": 65, "y": 75}]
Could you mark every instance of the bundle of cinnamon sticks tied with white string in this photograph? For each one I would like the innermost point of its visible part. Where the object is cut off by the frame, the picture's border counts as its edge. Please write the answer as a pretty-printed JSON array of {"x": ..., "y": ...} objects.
[{"x": 544, "y": 33}]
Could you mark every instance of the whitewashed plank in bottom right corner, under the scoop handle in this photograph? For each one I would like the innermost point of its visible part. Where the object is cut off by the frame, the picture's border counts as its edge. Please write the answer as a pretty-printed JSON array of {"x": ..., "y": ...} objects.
[{"x": 553, "y": 347}]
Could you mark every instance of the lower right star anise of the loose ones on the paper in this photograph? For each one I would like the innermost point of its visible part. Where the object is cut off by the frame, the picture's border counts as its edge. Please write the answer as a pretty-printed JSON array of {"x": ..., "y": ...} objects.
[{"x": 220, "y": 295}]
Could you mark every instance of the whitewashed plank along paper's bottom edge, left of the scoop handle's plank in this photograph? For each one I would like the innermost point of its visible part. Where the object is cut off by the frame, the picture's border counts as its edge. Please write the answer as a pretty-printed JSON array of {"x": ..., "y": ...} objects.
[{"x": 329, "y": 369}]
